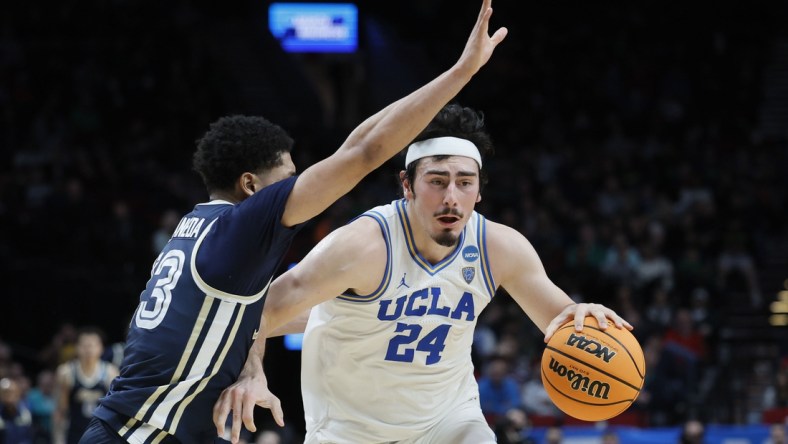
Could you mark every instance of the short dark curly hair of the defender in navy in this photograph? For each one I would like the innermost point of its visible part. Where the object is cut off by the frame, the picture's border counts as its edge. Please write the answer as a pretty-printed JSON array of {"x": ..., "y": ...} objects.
[{"x": 237, "y": 144}]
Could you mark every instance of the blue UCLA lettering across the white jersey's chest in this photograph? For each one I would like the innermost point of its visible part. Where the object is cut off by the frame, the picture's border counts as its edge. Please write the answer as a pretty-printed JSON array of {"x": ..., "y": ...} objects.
[{"x": 424, "y": 302}]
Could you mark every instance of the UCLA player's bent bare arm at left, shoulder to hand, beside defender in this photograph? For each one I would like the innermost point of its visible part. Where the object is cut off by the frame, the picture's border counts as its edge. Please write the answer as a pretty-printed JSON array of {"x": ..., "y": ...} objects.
[{"x": 351, "y": 257}]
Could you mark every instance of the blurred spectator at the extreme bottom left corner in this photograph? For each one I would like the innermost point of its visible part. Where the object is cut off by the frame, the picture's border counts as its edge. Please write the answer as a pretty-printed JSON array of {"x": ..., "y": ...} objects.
[{"x": 16, "y": 422}]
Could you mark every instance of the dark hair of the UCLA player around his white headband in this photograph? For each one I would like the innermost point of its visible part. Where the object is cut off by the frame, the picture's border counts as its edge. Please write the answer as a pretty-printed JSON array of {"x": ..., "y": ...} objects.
[{"x": 456, "y": 121}]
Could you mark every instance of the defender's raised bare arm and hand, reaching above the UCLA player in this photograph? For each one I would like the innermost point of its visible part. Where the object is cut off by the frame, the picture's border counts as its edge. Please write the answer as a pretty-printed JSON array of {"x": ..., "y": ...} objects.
[{"x": 384, "y": 134}]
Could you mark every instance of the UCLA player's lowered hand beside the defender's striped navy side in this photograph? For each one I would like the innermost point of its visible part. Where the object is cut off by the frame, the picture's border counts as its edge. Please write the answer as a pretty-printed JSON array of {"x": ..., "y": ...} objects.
[{"x": 240, "y": 399}]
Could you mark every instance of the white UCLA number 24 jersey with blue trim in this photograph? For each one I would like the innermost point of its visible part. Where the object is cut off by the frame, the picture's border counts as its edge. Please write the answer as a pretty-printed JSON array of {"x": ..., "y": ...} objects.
[{"x": 389, "y": 365}]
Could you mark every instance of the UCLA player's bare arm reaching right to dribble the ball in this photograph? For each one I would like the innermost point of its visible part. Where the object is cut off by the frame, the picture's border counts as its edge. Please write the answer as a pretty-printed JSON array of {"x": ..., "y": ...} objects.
[{"x": 517, "y": 268}]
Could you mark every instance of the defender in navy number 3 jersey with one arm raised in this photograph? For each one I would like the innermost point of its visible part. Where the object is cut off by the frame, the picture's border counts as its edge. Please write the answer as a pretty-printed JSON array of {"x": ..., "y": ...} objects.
[{"x": 197, "y": 318}]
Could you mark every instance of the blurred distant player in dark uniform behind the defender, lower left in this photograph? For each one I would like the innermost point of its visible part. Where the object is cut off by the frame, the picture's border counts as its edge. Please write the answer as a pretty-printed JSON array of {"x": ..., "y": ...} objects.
[{"x": 81, "y": 382}]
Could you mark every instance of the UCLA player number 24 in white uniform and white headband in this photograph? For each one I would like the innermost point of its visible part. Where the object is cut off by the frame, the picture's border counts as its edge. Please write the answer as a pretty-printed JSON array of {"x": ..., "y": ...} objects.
[{"x": 387, "y": 362}]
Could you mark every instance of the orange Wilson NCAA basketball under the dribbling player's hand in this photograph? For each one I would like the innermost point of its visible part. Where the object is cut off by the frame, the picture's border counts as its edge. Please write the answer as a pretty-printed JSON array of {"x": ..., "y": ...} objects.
[{"x": 593, "y": 375}]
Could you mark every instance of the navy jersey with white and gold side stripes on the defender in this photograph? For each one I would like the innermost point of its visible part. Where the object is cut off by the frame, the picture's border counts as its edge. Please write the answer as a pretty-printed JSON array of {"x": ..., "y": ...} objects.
[{"x": 198, "y": 317}]
